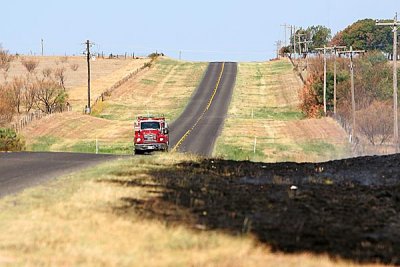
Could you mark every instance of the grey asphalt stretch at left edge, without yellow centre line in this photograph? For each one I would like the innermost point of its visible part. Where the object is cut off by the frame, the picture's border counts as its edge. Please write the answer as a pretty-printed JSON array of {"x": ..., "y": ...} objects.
[{"x": 25, "y": 169}]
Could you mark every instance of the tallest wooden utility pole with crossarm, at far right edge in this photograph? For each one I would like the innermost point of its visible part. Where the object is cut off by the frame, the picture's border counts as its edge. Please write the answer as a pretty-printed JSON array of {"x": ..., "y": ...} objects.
[{"x": 395, "y": 25}]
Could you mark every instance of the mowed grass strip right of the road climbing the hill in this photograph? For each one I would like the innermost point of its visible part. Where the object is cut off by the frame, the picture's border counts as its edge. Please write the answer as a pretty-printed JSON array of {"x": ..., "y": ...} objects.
[{"x": 264, "y": 111}]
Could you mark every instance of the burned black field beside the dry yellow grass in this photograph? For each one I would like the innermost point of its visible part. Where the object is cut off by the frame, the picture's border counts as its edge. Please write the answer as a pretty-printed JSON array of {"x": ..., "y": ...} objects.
[{"x": 348, "y": 209}]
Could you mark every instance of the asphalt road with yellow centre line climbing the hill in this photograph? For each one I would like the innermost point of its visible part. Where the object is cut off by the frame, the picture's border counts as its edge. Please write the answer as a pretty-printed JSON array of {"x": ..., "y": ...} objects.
[{"x": 200, "y": 124}]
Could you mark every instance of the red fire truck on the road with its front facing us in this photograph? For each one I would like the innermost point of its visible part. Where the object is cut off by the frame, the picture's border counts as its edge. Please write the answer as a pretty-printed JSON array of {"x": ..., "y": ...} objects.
[{"x": 151, "y": 134}]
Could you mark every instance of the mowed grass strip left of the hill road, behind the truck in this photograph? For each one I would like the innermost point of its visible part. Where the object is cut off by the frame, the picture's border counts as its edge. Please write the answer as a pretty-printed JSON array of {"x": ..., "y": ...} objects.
[{"x": 172, "y": 83}]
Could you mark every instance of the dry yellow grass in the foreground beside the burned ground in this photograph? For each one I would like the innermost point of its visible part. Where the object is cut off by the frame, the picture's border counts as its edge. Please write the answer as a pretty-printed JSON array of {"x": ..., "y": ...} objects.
[{"x": 88, "y": 219}]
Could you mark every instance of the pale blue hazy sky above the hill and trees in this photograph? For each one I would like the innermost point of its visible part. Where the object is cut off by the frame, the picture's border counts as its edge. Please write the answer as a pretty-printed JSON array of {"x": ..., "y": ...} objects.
[{"x": 236, "y": 30}]
